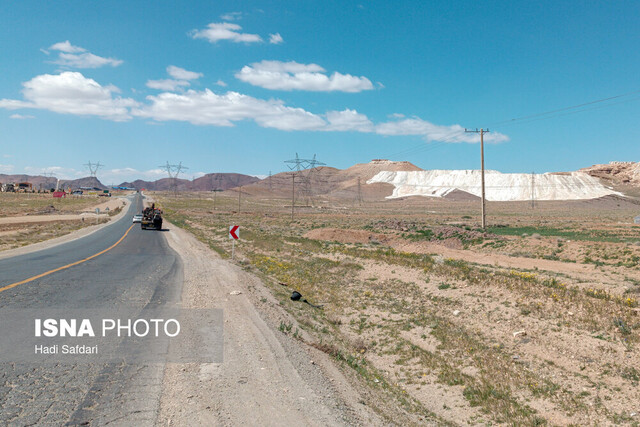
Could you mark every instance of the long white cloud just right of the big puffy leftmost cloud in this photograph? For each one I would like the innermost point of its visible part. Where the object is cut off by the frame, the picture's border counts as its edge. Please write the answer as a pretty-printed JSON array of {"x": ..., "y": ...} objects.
[{"x": 208, "y": 108}]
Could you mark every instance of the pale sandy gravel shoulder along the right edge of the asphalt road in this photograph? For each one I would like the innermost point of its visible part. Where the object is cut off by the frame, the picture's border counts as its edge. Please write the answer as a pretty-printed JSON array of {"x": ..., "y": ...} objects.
[{"x": 267, "y": 377}]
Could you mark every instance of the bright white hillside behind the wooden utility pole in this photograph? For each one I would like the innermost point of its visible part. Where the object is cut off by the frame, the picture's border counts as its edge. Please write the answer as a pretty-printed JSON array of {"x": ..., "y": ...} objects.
[{"x": 499, "y": 186}]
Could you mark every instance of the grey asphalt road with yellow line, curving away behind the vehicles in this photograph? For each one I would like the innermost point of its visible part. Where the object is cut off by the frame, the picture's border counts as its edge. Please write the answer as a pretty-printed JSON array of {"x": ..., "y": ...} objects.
[{"x": 140, "y": 271}]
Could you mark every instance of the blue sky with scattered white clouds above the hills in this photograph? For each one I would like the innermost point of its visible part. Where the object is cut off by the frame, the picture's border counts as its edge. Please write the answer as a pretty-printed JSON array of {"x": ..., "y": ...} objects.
[{"x": 243, "y": 86}]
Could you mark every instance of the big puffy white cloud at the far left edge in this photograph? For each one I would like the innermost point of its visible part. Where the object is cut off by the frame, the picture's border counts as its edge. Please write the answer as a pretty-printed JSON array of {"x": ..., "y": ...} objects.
[{"x": 72, "y": 93}]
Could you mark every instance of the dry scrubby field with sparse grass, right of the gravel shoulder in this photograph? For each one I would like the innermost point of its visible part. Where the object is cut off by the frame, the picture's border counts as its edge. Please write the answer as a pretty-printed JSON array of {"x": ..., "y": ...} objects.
[{"x": 532, "y": 321}]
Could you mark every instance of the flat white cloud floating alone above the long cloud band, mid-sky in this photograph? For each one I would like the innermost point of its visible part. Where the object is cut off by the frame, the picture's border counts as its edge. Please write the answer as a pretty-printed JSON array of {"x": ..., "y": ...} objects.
[{"x": 279, "y": 75}]
